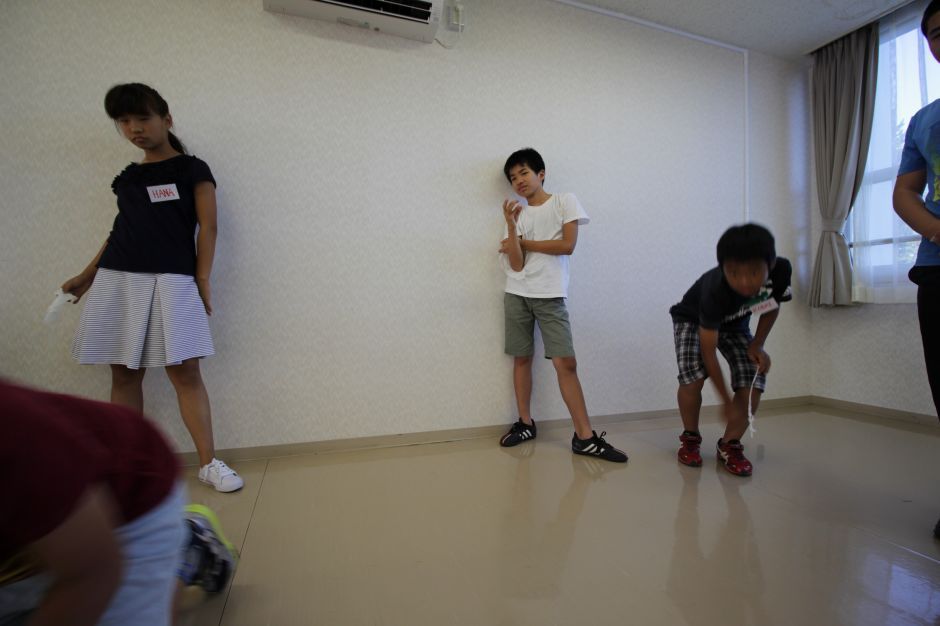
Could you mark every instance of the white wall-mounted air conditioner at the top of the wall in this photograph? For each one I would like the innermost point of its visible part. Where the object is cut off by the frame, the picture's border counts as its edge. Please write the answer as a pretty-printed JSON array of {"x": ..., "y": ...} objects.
[{"x": 414, "y": 19}]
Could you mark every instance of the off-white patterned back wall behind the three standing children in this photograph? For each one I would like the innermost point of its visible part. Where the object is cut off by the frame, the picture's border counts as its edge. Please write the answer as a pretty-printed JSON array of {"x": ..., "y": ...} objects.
[{"x": 356, "y": 286}]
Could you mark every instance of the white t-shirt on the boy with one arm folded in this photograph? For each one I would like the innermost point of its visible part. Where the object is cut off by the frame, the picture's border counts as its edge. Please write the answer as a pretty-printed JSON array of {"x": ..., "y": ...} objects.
[{"x": 544, "y": 275}]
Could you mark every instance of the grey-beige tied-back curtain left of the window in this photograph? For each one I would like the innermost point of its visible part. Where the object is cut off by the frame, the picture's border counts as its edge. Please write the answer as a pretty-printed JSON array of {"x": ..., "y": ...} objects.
[{"x": 844, "y": 76}]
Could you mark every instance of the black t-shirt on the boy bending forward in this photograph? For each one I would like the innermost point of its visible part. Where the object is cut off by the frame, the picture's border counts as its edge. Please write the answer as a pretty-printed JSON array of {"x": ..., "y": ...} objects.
[{"x": 713, "y": 304}]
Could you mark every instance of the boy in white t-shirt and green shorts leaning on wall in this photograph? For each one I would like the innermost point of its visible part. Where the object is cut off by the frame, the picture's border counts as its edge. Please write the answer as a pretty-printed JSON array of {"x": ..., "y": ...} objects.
[{"x": 539, "y": 239}]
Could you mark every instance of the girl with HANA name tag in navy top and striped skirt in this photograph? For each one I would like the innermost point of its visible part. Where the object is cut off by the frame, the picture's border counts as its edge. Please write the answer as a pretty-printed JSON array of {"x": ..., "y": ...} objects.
[{"x": 148, "y": 287}]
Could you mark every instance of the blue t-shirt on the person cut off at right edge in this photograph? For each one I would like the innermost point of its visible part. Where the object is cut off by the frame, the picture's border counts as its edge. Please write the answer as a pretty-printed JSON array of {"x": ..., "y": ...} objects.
[{"x": 922, "y": 152}]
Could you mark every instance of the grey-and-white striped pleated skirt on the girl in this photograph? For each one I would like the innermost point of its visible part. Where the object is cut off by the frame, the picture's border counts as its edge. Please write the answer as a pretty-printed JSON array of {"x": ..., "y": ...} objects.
[{"x": 142, "y": 320}]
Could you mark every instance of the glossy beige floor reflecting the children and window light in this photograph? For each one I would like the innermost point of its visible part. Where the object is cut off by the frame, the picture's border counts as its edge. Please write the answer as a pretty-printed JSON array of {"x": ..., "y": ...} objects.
[{"x": 834, "y": 527}]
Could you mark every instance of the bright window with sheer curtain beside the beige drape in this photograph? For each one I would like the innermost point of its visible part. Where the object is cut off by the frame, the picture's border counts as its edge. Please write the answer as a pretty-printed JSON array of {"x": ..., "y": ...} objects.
[{"x": 883, "y": 248}]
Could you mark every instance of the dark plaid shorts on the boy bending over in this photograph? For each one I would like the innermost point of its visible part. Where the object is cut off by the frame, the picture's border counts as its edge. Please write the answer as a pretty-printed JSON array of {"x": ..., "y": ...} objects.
[{"x": 732, "y": 345}]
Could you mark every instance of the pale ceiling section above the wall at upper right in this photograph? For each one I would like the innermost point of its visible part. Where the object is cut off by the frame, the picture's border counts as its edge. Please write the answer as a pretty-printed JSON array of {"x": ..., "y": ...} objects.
[{"x": 783, "y": 28}]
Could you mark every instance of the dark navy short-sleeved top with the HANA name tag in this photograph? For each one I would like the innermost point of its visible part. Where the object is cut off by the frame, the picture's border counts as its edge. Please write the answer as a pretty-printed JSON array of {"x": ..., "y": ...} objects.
[{"x": 156, "y": 221}]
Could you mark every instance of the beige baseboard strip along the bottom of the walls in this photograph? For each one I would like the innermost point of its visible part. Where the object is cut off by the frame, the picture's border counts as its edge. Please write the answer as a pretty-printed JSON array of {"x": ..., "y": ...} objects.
[{"x": 772, "y": 405}]
